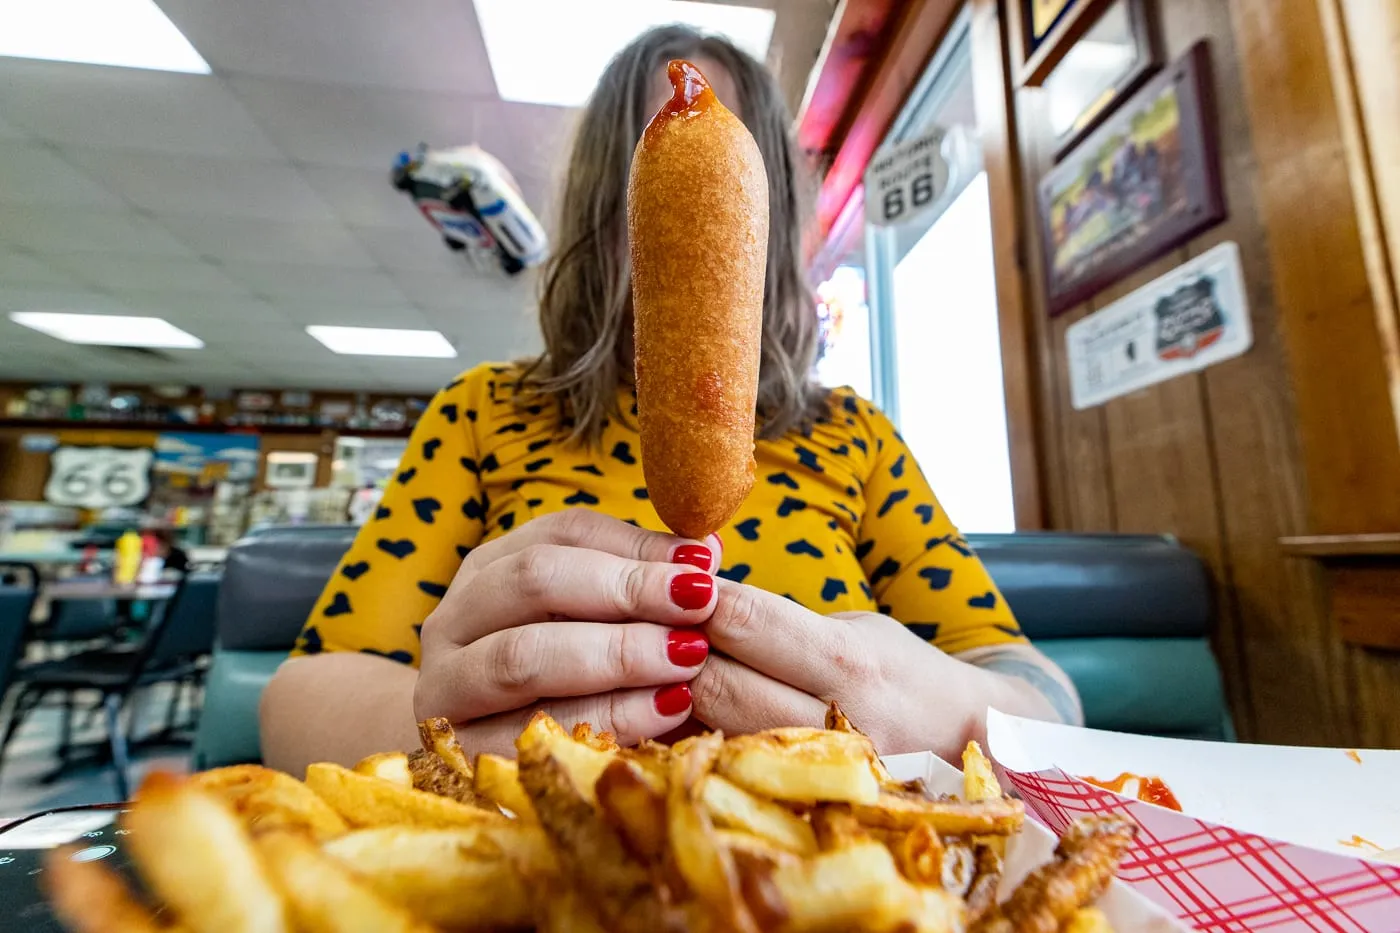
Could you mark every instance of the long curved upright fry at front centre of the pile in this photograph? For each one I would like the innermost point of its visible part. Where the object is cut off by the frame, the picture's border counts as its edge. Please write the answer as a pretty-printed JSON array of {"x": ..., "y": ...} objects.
[{"x": 702, "y": 861}]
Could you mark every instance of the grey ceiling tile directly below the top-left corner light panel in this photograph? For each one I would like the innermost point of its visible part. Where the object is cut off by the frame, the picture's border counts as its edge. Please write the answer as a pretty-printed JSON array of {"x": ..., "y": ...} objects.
[{"x": 129, "y": 109}]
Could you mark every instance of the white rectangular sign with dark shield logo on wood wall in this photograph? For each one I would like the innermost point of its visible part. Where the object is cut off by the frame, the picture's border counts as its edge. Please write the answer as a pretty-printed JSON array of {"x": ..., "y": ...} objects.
[{"x": 1192, "y": 317}]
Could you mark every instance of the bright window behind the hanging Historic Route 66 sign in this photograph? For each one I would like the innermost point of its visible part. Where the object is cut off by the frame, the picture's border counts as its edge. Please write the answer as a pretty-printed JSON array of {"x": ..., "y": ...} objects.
[{"x": 933, "y": 299}]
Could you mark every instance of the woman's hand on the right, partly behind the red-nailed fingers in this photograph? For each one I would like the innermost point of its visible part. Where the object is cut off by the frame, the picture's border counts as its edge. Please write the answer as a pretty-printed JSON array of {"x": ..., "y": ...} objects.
[{"x": 778, "y": 663}]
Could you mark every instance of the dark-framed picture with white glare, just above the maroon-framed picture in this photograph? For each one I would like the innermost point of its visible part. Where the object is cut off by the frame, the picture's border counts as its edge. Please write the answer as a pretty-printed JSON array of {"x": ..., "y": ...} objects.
[{"x": 1116, "y": 54}]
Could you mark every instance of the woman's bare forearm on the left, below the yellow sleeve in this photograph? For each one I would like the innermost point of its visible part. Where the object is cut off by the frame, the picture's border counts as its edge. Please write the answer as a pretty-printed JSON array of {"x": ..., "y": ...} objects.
[{"x": 339, "y": 707}]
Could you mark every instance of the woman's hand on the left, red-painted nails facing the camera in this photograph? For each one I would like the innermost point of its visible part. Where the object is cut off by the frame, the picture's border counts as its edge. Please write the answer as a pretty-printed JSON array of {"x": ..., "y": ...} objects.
[{"x": 548, "y": 613}]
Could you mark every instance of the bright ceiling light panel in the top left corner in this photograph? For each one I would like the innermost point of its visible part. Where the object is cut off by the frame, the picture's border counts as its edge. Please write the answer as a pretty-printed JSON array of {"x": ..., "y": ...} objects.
[{"x": 131, "y": 34}]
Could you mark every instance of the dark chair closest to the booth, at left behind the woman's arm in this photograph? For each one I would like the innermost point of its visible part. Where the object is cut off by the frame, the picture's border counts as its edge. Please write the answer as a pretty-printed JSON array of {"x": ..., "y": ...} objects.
[{"x": 174, "y": 652}]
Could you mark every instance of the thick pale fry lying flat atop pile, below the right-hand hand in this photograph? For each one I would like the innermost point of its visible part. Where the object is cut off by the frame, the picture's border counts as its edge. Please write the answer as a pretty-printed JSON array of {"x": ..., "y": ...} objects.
[{"x": 803, "y": 766}]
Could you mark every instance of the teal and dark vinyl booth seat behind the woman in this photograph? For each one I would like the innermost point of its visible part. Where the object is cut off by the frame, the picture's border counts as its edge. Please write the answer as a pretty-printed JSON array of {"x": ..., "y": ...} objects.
[{"x": 1128, "y": 617}]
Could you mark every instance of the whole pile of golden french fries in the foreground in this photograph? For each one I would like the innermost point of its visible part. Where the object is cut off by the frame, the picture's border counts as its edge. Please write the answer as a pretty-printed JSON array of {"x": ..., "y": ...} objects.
[{"x": 793, "y": 830}]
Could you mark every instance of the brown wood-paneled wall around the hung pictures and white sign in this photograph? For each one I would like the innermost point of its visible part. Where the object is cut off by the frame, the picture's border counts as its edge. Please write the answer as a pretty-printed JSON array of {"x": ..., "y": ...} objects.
[{"x": 1280, "y": 442}]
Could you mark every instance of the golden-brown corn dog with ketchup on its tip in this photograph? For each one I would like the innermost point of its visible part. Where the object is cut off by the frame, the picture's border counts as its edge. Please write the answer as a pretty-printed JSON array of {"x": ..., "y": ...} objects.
[{"x": 698, "y": 222}]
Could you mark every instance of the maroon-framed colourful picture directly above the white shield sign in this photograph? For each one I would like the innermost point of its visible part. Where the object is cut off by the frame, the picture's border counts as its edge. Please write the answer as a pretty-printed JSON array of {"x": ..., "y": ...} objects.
[{"x": 1142, "y": 184}]
